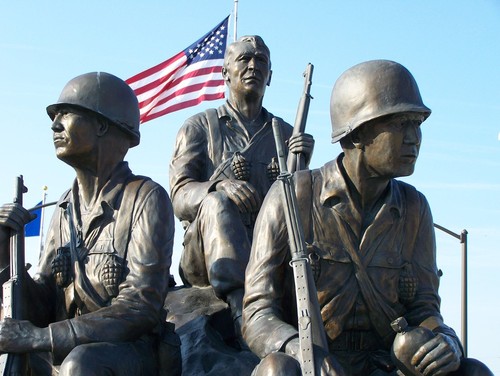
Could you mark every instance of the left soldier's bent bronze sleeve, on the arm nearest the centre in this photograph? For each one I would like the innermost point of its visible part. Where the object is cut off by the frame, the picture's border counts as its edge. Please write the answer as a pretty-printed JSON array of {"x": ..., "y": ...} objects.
[{"x": 137, "y": 309}]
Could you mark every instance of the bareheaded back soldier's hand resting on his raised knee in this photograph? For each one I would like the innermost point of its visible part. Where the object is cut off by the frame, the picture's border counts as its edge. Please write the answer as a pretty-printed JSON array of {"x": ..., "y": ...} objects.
[{"x": 242, "y": 193}]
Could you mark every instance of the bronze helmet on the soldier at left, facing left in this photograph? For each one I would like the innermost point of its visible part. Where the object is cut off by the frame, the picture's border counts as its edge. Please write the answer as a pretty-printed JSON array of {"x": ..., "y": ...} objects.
[{"x": 106, "y": 95}]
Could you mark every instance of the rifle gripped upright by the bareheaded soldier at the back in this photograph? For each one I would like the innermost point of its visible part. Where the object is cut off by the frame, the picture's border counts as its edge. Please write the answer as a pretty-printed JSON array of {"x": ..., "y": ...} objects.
[{"x": 296, "y": 161}]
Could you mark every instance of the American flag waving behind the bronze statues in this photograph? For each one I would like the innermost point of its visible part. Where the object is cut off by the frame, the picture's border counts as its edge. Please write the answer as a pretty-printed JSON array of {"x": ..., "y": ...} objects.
[{"x": 186, "y": 79}]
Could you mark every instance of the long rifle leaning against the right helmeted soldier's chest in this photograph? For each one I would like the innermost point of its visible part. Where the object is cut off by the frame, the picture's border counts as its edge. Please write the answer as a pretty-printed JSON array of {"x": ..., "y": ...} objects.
[{"x": 310, "y": 323}]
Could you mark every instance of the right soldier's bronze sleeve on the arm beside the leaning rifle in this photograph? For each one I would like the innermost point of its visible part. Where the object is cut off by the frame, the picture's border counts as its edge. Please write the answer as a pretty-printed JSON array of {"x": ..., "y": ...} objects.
[{"x": 265, "y": 301}]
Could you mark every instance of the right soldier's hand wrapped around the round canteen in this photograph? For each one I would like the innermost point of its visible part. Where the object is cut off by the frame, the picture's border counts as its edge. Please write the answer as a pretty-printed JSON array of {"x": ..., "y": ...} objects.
[{"x": 438, "y": 356}]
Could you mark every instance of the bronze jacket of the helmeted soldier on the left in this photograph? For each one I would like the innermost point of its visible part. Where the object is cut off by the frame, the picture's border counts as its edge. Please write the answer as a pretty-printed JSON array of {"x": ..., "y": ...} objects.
[{"x": 135, "y": 309}]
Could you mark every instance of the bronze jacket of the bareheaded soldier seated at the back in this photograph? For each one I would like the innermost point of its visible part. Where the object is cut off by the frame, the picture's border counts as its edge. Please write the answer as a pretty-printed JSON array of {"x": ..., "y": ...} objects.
[{"x": 200, "y": 151}]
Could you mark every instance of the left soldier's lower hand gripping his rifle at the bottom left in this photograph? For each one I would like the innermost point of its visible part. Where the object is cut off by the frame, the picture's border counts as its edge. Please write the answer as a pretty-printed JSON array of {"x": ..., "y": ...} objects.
[{"x": 20, "y": 336}]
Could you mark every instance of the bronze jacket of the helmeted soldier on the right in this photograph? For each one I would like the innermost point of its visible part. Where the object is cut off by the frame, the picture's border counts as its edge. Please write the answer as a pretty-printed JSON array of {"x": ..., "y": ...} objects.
[{"x": 387, "y": 246}]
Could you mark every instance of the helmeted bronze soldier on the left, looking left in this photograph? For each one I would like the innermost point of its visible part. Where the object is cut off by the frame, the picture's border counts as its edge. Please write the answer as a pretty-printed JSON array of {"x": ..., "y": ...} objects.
[{"x": 96, "y": 302}]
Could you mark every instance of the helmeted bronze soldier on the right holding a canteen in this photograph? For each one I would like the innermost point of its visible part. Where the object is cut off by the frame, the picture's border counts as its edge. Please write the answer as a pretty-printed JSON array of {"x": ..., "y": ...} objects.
[{"x": 371, "y": 240}]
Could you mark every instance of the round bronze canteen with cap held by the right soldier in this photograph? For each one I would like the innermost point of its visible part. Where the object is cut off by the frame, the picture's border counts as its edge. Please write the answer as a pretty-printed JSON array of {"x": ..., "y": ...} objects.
[{"x": 408, "y": 340}]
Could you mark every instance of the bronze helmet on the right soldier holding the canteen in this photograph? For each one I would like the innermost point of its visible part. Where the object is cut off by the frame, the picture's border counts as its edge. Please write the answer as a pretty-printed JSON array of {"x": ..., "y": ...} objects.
[{"x": 370, "y": 90}]
